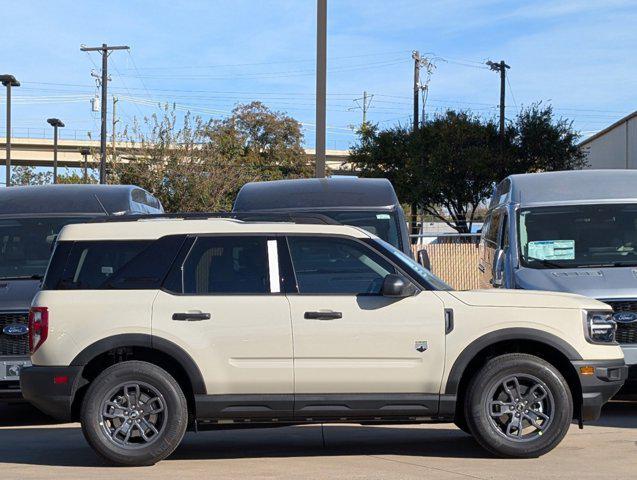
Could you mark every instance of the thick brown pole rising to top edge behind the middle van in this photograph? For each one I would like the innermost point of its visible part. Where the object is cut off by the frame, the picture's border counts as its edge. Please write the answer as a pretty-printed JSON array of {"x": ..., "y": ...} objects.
[{"x": 321, "y": 85}]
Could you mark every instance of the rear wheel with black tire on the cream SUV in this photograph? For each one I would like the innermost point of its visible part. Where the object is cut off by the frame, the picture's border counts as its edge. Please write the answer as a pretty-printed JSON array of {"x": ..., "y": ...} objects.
[{"x": 157, "y": 392}]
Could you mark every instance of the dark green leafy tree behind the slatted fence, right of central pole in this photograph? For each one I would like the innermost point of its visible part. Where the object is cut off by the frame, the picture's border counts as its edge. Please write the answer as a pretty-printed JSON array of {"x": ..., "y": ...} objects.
[{"x": 449, "y": 166}]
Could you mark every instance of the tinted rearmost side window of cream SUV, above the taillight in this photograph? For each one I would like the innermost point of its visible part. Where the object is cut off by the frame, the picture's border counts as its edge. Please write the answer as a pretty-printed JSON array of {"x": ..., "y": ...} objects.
[{"x": 97, "y": 265}]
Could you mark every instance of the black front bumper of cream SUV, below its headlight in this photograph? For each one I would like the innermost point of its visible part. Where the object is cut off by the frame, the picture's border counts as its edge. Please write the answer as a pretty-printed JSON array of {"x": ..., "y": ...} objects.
[{"x": 599, "y": 388}]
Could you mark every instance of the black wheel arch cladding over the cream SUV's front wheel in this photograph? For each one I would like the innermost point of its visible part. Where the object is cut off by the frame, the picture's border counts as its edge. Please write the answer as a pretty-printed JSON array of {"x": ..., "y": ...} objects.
[{"x": 514, "y": 340}]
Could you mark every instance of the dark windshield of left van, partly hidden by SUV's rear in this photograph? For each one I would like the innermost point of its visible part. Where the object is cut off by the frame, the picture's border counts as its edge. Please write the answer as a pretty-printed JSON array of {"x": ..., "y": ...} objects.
[{"x": 25, "y": 245}]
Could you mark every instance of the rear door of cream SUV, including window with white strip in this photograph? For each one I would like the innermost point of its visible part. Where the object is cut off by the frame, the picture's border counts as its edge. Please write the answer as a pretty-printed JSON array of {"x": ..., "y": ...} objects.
[{"x": 223, "y": 305}]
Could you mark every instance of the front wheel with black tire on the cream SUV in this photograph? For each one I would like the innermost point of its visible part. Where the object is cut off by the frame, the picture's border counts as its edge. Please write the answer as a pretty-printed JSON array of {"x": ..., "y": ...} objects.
[{"x": 490, "y": 391}]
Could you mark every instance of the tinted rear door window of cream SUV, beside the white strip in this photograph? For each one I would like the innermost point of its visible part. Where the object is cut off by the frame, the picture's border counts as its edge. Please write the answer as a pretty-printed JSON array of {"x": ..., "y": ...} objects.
[{"x": 227, "y": 265}]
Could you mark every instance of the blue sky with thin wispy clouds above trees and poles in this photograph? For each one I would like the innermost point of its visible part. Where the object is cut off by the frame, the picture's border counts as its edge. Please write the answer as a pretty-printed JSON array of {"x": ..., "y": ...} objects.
[{"x": 206, "y": 56}]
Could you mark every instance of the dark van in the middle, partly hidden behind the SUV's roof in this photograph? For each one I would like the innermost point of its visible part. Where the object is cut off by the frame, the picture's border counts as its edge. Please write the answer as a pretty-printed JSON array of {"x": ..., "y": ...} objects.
[{"x": 369, "y": 203}]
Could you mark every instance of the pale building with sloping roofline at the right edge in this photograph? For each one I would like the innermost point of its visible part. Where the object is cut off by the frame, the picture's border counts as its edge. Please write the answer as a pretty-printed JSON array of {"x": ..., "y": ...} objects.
[{"x": 615, "y": 146}]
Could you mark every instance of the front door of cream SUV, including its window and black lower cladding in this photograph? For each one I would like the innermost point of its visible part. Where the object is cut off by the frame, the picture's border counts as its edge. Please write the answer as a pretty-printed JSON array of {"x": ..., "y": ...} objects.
[{"x": 355, "y": 351}]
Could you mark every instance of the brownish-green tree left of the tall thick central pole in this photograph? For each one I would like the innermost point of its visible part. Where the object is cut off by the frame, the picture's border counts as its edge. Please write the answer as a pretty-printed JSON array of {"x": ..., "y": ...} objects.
[{"x": 201, "y": 164}]
